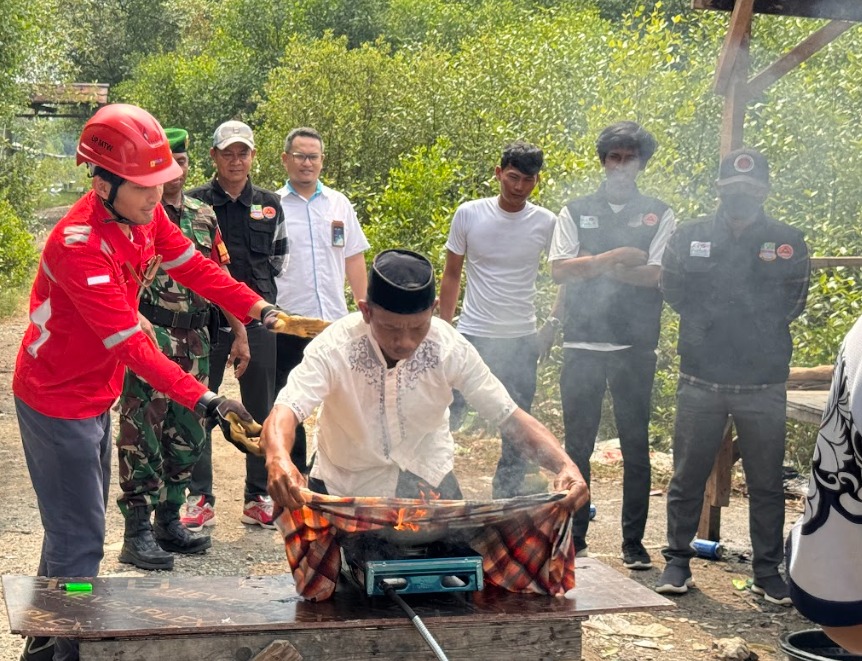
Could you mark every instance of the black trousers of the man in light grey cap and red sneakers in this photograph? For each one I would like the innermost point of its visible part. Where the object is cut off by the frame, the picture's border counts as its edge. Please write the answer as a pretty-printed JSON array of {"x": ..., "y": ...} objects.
[{"x": 257, "y": 390}]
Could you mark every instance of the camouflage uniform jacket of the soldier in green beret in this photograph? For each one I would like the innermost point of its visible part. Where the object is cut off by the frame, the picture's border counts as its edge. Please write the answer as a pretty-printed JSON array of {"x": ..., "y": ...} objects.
[{"x": 197, "y": 222}]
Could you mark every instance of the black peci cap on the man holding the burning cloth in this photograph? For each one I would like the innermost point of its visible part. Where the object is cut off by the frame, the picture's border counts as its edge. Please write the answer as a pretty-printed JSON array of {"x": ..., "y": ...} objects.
[{"x": 401, "y": 281}]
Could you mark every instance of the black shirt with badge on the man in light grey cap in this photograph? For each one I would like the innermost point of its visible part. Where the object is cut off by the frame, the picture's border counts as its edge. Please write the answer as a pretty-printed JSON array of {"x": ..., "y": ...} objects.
[{"x": 248, "y": 227}]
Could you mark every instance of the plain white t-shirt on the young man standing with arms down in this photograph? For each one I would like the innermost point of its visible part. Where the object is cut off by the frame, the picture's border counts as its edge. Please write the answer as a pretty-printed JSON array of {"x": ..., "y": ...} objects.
[{"x": 502, "y": 254}]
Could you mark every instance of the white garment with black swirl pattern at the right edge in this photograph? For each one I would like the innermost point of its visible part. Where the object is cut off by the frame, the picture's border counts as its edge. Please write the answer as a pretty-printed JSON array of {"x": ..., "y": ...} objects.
[{"x": 826, "y": 584}]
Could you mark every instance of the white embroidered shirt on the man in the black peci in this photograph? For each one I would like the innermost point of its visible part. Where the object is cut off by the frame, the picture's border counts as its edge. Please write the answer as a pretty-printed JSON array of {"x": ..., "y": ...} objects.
[{"x": 376, "y": 421}]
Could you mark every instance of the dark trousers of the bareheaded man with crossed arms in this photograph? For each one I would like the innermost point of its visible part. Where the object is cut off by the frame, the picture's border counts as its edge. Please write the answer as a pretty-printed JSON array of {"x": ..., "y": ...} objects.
[{"x": 629, "y": 373}]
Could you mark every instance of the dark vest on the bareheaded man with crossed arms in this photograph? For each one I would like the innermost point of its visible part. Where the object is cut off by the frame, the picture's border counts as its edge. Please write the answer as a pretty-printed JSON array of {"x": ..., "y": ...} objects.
[{"x": 601, "y": 309}]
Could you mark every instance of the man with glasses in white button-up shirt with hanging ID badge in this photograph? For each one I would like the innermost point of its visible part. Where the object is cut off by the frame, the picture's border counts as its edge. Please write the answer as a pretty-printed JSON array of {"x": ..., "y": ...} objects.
[{"x": 326, "y": 246}]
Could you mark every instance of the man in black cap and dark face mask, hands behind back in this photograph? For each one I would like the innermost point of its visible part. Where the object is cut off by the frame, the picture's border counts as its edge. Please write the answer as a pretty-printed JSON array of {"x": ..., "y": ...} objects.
[{"x": 737, "y": 279}]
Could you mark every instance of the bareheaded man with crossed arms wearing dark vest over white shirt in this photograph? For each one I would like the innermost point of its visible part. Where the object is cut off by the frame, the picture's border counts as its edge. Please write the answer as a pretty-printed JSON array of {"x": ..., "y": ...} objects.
[{"x": 607, "y": 251}]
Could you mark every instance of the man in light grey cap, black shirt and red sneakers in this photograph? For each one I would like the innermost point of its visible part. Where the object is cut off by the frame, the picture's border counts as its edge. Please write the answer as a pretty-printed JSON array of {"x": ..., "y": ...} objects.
[{"x": 252, "y": 224}]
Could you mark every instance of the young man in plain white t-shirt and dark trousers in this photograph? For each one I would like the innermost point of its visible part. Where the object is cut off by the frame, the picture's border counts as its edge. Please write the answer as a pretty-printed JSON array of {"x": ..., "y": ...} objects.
[{"x": 502, "y": 240}]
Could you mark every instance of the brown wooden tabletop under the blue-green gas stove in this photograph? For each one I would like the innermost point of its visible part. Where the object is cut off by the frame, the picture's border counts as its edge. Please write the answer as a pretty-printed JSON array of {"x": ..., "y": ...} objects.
[{"x": 175, "y": 605}]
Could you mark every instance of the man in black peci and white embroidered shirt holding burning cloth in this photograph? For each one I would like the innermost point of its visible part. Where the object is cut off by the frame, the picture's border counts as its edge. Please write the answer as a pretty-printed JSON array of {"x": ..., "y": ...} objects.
[{"x": 384, "y": 377}]
